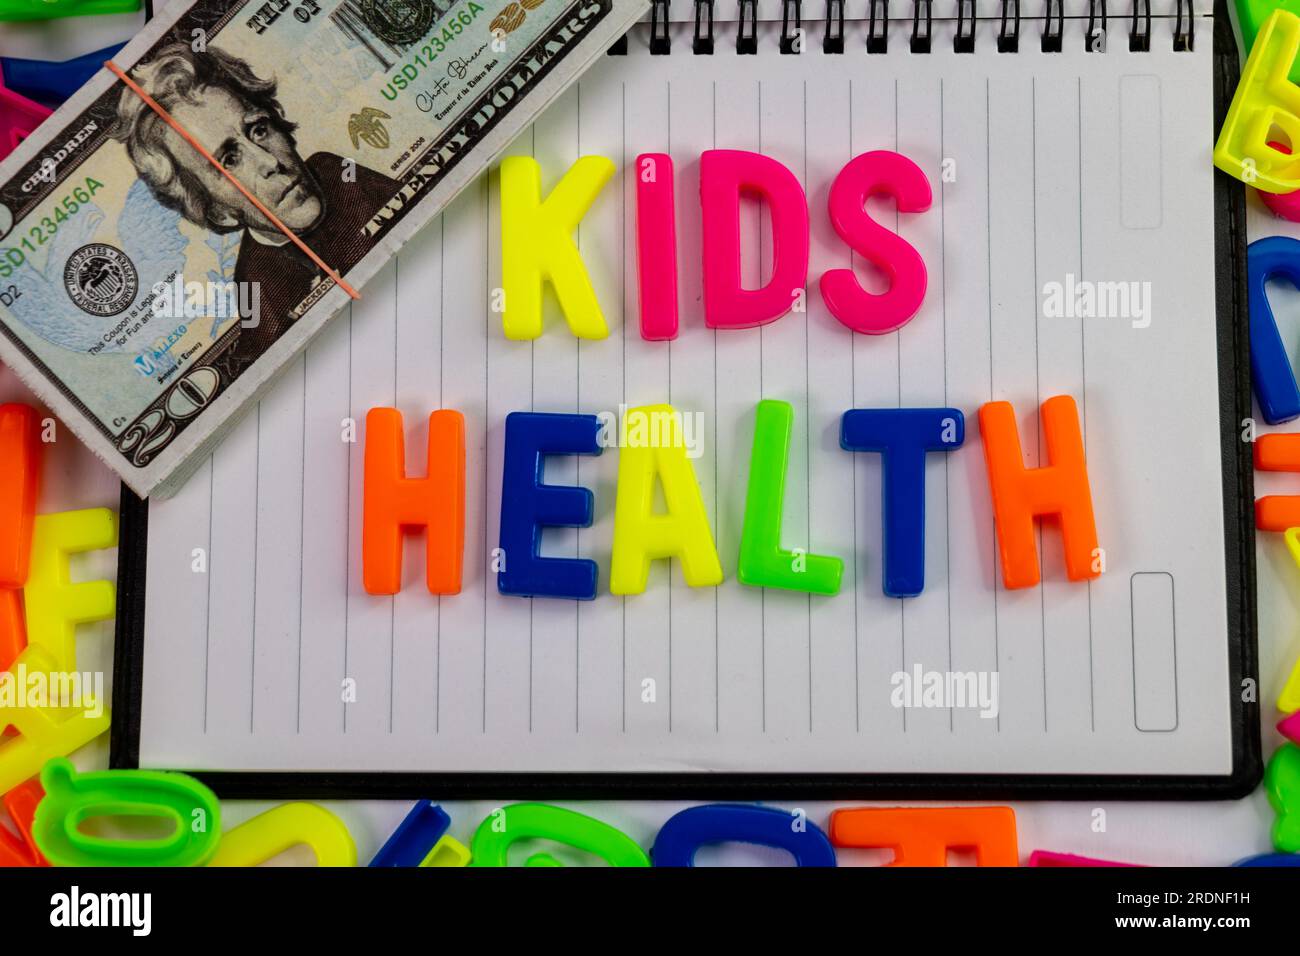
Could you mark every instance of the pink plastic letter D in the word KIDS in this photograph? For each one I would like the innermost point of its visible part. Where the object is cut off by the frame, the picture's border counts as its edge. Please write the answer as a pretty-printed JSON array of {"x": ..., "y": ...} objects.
[{"x": 725, "y": 176}]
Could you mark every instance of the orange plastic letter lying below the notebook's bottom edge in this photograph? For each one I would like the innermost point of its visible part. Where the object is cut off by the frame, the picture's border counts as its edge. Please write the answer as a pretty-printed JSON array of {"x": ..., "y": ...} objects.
[{"x": 922, "y": 837}]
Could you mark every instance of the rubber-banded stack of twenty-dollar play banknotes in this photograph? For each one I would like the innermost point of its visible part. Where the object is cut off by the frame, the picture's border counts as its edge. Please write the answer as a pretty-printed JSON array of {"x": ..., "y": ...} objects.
[{"x": 148, "y": 300}]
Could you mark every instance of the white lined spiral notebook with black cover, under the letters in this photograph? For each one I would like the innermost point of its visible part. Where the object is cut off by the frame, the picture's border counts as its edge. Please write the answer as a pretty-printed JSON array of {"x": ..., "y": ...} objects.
[{"x": 1067, "y": 149}]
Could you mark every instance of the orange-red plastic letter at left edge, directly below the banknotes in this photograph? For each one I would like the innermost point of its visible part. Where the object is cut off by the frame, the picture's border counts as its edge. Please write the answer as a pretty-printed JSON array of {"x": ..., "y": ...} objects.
[{"x": 20, "y": 487}]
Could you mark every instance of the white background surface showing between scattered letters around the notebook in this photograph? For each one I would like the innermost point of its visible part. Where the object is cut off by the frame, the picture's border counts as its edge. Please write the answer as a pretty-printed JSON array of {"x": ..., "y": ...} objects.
[{"x": 1158, "y": 834}]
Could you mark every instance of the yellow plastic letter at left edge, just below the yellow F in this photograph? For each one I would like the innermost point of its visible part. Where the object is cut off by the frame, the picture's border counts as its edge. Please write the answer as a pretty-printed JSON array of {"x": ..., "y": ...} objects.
[{"x": 44, "y": 733}]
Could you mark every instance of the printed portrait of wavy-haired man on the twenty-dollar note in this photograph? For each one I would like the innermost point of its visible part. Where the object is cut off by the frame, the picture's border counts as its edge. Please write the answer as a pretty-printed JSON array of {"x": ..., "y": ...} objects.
[{"x": 326, "y": 200}]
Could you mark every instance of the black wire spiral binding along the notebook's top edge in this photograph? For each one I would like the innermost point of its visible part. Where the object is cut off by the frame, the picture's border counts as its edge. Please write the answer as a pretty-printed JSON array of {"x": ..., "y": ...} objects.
[{"x": 922, "y": 28}]
